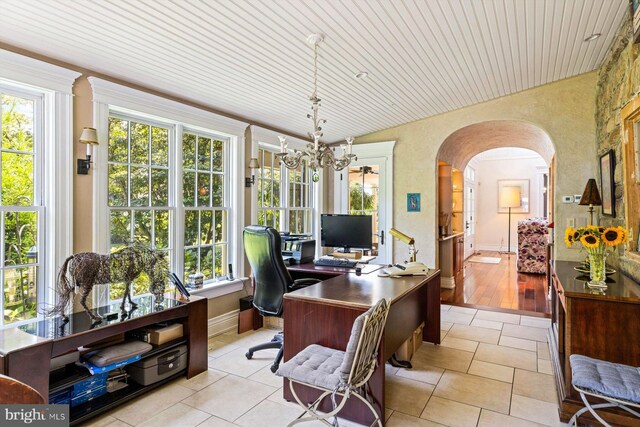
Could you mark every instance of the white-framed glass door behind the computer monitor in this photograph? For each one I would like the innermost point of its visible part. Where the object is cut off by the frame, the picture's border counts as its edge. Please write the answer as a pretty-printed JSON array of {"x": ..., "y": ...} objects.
[{"x": 364, "y": 188}]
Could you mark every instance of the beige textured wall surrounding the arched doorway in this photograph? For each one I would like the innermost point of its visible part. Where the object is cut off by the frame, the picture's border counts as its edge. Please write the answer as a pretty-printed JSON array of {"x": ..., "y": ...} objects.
[{"x": 564, "y": 110}]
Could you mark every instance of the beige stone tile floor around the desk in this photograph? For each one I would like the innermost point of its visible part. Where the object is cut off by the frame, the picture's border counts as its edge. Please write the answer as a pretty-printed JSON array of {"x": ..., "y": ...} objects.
[{"x": 492, "y": 369}]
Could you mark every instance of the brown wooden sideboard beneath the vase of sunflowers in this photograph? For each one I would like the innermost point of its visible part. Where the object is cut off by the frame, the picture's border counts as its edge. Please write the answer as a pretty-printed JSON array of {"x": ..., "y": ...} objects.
[{"x": 604, "y": 326}]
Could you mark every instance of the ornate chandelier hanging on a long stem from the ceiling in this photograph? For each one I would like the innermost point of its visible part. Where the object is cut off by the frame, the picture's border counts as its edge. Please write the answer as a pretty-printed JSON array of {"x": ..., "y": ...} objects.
[{"x": 318, "y": 154}]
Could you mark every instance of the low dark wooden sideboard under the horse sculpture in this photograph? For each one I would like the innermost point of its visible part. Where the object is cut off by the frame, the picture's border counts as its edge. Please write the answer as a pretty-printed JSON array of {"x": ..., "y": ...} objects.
[{"x": 26, "y": 351}]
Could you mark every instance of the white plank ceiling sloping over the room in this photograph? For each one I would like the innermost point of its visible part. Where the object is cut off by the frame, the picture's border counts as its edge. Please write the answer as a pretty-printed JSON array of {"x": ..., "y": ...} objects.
[{"x": 250, "y": 57}]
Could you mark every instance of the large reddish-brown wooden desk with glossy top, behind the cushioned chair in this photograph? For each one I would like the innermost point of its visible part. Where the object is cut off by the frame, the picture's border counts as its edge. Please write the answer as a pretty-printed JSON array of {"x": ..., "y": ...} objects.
[{"x": 324, "y": 314}]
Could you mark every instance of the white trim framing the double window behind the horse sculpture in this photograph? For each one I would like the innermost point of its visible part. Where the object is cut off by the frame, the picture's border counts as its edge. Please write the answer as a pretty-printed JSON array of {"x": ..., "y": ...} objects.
[{"x": 109, "y": 96}]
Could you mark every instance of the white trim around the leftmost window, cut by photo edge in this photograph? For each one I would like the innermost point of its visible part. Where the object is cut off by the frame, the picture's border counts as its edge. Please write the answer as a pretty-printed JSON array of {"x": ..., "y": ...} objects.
[{"x": 56, "y": 85}]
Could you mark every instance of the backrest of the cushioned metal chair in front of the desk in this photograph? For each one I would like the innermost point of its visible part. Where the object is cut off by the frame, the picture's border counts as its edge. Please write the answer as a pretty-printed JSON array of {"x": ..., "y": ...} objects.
[{"x": 361, "y": 354}]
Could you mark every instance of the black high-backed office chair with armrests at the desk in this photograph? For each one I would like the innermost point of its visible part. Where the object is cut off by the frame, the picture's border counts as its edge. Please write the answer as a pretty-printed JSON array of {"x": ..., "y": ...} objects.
[{"x": 272, "y": 280}]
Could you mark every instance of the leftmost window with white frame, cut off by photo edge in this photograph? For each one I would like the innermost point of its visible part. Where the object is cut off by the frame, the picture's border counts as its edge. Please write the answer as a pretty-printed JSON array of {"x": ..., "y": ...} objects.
[{"x": 36, "y": 175}]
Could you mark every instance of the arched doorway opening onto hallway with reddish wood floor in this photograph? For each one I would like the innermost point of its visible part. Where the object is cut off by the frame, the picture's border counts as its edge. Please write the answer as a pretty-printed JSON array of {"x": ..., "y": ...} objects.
[{"x": 500, "y": 284}]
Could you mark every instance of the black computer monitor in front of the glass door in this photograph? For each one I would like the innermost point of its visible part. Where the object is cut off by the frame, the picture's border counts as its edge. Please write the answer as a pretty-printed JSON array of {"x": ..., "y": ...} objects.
[{"x": 346, "y": 231}]
